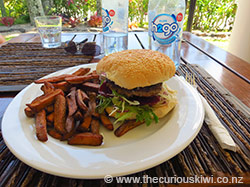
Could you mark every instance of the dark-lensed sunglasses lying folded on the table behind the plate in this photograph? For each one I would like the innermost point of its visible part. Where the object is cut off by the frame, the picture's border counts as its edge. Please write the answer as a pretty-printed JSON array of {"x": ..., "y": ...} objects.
[{"x": 84, "y": 47}]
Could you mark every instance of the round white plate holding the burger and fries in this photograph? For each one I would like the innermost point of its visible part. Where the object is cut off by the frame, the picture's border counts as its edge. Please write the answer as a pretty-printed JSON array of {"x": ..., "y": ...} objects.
[{"x": 139, "y": 149}]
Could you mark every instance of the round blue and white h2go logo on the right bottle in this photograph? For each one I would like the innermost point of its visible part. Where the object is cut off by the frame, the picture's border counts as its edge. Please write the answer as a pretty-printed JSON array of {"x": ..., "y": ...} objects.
[{"x": 165, "y": 28}]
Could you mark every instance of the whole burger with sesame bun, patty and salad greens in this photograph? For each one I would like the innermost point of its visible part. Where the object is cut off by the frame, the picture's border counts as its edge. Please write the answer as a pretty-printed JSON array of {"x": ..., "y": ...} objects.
[{"x": 133, "y": 85}]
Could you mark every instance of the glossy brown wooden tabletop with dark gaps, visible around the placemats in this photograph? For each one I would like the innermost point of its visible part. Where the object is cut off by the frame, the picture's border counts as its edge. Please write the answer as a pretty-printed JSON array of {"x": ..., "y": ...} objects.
[{"x": 230, "y": 71}]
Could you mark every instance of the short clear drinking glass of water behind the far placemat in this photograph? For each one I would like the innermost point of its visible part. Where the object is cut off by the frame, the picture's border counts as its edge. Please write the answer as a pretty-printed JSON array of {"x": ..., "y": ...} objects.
[{"x": 49, "y": 28}]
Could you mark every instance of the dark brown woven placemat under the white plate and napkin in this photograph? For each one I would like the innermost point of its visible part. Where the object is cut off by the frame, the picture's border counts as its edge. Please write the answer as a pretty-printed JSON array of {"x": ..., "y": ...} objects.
[{"x": 202, "y": 157}]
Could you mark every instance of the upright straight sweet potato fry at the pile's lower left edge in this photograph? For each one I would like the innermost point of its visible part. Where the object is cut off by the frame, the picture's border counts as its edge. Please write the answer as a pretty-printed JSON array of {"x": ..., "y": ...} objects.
[{"x": 41, "y": 127}]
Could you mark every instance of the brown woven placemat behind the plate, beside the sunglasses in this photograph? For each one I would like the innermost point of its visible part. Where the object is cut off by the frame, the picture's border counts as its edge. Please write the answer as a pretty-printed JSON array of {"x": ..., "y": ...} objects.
[{"x": 22, "y": 63}]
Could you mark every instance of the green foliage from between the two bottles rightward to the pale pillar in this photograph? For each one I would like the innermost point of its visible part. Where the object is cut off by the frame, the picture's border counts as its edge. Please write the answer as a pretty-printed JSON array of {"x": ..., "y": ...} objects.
[{"x": 210, "y": 15}]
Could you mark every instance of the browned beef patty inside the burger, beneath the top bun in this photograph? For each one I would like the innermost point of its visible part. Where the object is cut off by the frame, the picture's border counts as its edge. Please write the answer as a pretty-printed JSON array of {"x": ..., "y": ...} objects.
[{"x": 139, "y": 91}]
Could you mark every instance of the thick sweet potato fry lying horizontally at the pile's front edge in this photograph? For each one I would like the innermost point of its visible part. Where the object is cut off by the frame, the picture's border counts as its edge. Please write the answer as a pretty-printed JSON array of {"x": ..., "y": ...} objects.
[{"x": 86, "y": 138}]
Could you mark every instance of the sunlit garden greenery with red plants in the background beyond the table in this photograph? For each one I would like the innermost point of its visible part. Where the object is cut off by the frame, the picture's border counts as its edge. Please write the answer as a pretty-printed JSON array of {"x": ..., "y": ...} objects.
[{"x": 209, "y": 16}]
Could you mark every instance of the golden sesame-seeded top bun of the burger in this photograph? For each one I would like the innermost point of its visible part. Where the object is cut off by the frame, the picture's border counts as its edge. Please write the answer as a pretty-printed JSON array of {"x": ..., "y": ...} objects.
[{"x": 136, "y": 68}]
